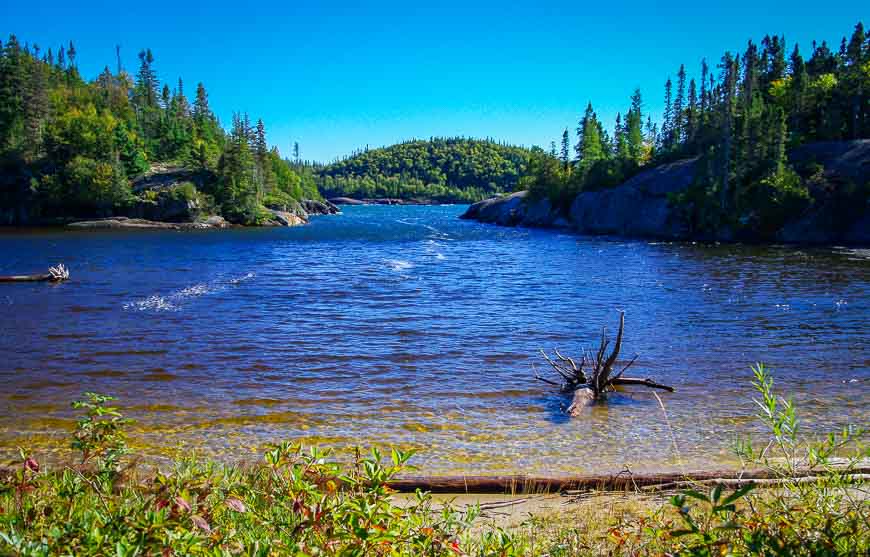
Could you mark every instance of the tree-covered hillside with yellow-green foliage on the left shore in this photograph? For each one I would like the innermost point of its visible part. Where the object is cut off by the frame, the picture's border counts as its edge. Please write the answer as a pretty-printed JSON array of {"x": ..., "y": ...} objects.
[{"x": 72, "y": 147}]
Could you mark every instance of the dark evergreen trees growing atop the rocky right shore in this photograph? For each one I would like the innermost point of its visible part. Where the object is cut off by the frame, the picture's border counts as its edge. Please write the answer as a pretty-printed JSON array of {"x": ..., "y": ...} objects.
[{"x": 739, "y": 118}]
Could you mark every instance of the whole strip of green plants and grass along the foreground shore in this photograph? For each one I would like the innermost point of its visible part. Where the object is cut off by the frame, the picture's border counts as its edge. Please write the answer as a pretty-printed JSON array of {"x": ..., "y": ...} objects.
[{"x": 302, "y": 502}]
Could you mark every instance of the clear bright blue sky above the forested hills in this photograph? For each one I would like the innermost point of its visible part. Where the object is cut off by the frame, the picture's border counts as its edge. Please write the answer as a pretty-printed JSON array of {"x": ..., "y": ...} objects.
[{"x": 336, "y": 76}]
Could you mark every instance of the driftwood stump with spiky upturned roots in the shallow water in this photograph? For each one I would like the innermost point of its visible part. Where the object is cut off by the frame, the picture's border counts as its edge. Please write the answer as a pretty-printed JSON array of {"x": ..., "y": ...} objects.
[{"x": 590, "y": 379}]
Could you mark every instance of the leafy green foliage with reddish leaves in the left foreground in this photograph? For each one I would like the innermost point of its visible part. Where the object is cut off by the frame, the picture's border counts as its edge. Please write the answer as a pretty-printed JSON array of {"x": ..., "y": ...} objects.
[{"x": 298, "y": 502}]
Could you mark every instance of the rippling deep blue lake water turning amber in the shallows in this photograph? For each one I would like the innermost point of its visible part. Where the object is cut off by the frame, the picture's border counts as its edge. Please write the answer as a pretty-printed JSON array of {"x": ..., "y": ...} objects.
[{"x": 407, "y": 326}]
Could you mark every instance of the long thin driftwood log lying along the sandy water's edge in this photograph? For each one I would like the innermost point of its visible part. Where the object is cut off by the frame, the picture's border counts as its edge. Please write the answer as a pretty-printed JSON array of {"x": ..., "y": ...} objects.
[{"x": 624, "y": 481}]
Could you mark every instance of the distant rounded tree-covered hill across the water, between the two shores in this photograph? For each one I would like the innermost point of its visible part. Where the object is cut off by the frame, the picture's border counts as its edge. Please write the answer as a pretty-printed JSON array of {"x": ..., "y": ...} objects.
[{"x": 439, "y": 169}]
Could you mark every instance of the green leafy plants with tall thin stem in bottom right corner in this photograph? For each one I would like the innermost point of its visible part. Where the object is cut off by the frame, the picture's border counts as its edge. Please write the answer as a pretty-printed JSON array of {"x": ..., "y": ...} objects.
[{"x": 825, "y": 515}]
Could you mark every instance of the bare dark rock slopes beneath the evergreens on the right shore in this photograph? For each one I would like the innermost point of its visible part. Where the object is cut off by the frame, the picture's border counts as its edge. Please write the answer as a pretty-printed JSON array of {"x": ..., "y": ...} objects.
[{"x": 641, "y": 206}]
